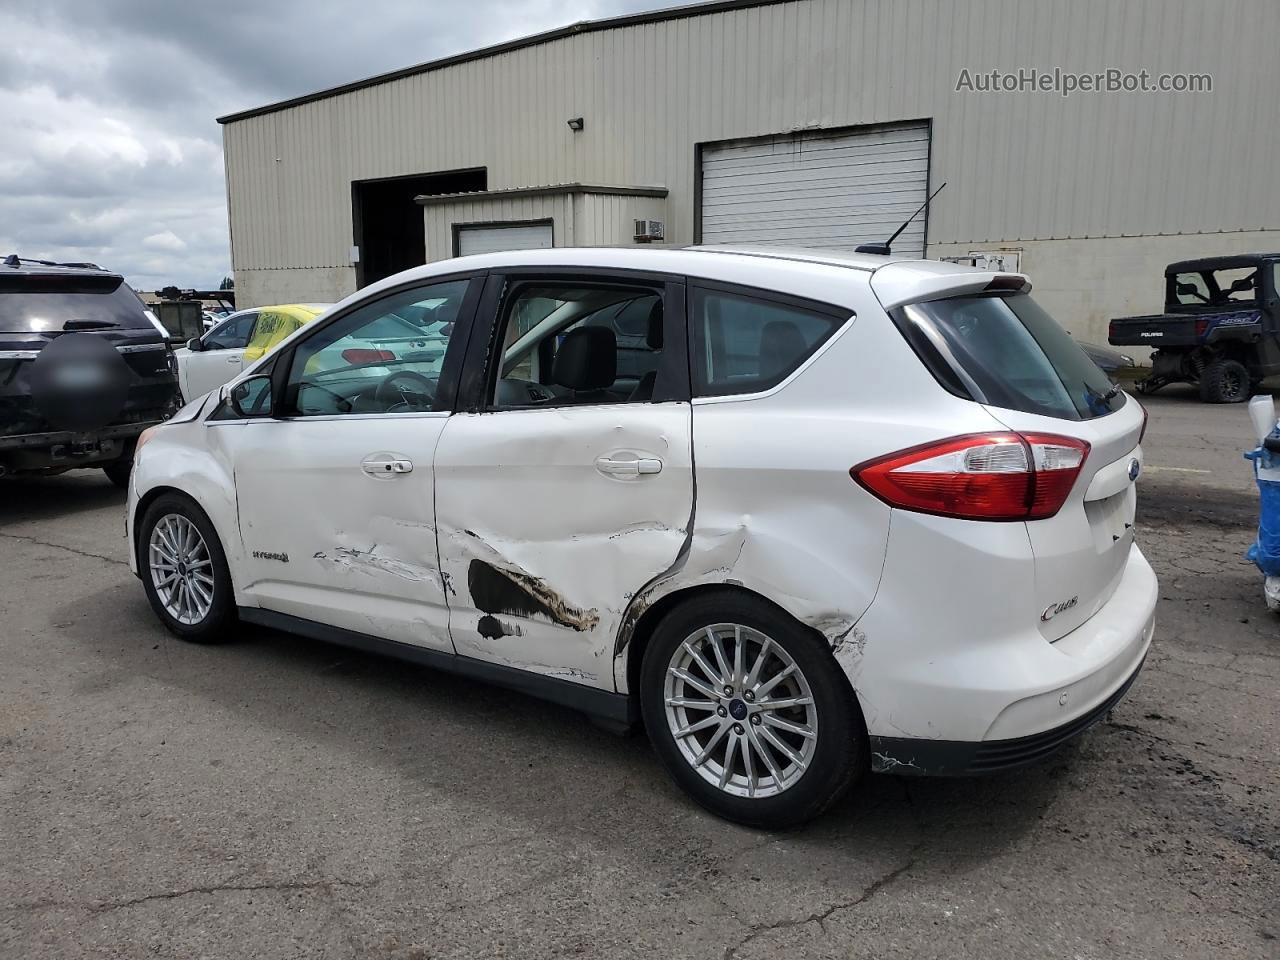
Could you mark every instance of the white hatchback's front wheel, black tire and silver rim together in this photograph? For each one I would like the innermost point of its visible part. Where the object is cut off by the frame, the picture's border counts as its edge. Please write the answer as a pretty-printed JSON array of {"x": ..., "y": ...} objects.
[{"x": 185, "y": 572}]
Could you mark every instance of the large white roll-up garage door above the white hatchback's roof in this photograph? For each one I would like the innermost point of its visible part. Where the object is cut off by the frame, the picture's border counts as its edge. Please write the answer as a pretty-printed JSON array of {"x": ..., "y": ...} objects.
[{"x": 830, "y": 191}]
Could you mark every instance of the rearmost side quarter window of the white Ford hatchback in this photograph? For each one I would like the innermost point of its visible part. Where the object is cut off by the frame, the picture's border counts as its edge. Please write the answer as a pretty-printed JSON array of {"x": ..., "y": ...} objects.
[{"x": 747, "y": 344}]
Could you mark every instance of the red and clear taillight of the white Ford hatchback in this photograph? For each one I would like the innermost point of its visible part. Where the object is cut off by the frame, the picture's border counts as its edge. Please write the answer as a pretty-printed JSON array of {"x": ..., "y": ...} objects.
[{"x": 980, "y": 477}]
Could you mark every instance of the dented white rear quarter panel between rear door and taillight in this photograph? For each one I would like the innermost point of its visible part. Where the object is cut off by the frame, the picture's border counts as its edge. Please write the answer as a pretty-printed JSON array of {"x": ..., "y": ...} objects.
[{"x": 778, "y": 511}]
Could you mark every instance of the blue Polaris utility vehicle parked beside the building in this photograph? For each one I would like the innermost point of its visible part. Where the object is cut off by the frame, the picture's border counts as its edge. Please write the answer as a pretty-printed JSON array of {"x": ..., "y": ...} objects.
[{"x": 1220, "y": 328}]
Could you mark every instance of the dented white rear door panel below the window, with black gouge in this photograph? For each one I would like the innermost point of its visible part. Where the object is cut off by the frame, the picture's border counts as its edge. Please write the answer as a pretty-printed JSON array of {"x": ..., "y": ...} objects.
[{"x": 543, "y": 555}]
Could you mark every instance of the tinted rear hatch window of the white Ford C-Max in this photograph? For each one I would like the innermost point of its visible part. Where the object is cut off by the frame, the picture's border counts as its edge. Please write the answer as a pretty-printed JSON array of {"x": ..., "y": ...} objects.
[{"x": 1007, "y": 351}]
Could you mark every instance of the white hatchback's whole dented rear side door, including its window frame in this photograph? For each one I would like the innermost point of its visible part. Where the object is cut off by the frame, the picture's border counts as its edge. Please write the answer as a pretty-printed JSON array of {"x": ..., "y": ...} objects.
[{"x": 552, "y": 516}]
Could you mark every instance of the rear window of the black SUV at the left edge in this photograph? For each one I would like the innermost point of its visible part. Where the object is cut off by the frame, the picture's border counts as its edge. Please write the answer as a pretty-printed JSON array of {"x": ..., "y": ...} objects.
[{"x": 38, "y": 304}]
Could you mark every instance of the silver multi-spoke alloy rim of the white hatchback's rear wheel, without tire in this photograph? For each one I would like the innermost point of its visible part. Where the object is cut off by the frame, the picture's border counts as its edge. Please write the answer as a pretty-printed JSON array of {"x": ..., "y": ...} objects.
[{"x": 742, "y": 711}]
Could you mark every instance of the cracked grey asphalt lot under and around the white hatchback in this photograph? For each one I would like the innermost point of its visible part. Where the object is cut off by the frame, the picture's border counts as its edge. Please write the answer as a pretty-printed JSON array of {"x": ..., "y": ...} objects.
[{"x": 280, "y": 798}]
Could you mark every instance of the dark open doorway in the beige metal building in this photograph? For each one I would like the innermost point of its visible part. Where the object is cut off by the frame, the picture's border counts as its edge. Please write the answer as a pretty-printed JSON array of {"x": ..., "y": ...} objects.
[{"x": 390, "y": 228}]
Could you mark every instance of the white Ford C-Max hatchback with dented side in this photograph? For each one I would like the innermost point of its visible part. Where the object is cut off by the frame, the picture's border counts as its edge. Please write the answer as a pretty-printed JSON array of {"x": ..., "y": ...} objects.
[{"x": 804, "y": 515}]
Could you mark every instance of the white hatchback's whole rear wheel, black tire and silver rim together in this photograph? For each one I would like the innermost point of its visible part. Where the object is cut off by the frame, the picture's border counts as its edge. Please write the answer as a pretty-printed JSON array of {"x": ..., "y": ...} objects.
[{"x": 749, "y": 712}]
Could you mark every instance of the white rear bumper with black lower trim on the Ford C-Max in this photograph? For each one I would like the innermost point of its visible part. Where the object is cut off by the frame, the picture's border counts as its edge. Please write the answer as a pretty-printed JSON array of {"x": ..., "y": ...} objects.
[{"x": 939, "y": 701}]
